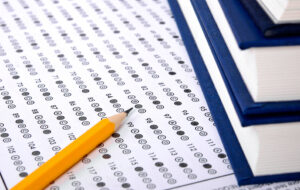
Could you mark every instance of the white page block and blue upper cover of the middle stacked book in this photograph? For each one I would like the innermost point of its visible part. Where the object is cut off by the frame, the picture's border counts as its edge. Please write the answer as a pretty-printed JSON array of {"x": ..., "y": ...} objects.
[{"x": 268, "y": 66}]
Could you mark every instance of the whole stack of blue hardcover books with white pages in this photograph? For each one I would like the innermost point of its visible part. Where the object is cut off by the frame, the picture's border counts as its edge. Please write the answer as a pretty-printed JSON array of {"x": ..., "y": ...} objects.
[{"x": 247, "y": 63}]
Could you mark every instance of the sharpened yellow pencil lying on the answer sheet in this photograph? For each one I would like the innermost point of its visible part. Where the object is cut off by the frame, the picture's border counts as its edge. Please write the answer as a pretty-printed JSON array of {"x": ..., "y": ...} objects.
[{"x": 66, "y": 158}]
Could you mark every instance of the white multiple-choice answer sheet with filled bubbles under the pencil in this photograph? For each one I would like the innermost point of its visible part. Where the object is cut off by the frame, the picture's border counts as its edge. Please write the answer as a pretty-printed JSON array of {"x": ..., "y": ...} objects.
[{"x": 65, "y": 65}]
